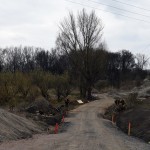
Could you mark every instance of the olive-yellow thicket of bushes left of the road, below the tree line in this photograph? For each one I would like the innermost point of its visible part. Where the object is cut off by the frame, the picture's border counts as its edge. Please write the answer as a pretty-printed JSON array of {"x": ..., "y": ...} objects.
[{"x": 23, "y": 88}]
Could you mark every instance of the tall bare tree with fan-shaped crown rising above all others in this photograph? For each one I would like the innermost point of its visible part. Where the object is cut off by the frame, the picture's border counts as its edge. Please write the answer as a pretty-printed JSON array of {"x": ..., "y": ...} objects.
[{"x": 80, "y": 38}]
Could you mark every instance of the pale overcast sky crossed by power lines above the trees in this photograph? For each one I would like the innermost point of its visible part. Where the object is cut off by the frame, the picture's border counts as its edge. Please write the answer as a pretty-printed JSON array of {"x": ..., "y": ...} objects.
[{"x": 35, "y": 22}]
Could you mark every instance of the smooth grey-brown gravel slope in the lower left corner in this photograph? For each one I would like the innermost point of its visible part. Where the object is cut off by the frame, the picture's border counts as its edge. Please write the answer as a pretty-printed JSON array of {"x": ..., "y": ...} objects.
[{"x": 13, "y": 127}]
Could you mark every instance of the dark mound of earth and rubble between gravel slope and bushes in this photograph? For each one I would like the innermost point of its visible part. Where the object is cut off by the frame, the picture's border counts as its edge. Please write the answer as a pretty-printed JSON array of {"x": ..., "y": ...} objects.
[{"x": 41, "y": 110}]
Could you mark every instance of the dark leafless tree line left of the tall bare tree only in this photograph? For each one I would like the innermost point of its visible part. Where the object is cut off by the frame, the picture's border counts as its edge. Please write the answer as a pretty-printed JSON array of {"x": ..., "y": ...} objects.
[{"x": 26, "y": 59}]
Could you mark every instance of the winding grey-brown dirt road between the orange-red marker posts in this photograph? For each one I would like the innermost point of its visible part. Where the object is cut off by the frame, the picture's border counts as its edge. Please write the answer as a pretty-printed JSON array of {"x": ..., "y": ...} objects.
[{"x": 87, "y": 130}]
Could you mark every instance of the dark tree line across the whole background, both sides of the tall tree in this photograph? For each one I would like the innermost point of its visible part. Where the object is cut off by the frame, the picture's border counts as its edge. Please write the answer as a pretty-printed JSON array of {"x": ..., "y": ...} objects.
[{"x": 115, "y": 67}]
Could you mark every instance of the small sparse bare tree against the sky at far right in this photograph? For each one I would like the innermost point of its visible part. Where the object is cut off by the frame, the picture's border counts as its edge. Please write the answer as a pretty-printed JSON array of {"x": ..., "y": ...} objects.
[{"x": 142, "y": 61}]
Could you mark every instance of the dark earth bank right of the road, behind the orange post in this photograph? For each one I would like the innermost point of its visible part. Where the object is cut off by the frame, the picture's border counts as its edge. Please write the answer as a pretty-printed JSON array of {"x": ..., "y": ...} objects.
[{"x": 139, "y": 117}]
